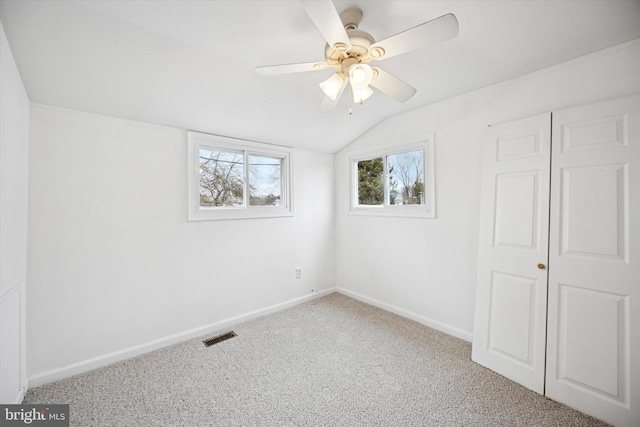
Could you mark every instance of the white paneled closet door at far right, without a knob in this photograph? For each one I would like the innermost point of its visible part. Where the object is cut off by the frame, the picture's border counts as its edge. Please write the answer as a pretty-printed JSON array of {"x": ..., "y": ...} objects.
[{"x": 593, "y": 353}]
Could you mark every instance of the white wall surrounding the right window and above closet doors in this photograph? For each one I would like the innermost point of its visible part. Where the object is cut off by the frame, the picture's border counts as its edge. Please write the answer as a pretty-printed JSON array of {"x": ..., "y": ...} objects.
[{"x": 426, "y": 269}]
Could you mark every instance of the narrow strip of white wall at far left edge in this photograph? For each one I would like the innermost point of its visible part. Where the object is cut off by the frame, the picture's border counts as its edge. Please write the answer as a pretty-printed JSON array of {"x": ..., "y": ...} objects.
[{"x": 14, "y": 149}]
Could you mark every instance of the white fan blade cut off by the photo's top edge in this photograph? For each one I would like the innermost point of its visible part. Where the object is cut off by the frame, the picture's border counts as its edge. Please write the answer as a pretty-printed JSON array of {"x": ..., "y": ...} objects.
[{"x": 324, "y": 14}]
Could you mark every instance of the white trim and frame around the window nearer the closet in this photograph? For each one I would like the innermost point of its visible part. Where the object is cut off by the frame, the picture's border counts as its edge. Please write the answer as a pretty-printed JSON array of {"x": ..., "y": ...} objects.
[{"x": 427, "y": 210}]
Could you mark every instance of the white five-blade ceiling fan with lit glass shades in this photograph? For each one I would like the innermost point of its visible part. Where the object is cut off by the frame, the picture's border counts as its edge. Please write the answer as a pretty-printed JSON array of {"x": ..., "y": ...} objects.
[{"x": 350, "y": 51}]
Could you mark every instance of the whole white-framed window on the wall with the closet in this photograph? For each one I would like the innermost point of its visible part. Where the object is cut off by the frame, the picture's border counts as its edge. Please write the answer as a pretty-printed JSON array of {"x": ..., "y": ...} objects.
[{"x": 397, "y": 182}]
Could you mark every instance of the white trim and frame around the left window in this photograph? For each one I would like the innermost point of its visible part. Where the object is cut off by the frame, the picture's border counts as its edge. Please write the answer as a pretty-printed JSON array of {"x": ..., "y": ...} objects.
[{"x": 195, "y": 140}]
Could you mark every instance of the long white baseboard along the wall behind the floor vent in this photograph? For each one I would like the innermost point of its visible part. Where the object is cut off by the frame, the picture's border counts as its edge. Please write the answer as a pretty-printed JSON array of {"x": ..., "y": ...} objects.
[{"x": 116, "y": 356}]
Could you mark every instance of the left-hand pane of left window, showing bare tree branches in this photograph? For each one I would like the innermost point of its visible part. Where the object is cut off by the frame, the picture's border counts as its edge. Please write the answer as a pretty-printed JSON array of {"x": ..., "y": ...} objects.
[{"x": 221, "y": 178}]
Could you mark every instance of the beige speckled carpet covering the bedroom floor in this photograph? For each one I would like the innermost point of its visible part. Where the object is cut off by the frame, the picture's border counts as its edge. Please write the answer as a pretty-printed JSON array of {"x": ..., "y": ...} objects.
[{"x": 330, "y": 362}]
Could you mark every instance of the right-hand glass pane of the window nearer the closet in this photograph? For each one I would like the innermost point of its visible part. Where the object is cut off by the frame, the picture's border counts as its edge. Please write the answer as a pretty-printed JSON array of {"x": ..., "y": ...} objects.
[{"x": 406, "y": 178}]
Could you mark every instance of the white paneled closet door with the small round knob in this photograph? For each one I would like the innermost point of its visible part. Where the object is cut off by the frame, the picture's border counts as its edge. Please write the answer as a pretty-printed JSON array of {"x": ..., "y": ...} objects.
[{"x": 510, "y": 314}]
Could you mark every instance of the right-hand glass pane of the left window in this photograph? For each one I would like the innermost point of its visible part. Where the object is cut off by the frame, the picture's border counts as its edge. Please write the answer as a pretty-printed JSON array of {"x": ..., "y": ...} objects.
[{"x": 265, "y": 181}]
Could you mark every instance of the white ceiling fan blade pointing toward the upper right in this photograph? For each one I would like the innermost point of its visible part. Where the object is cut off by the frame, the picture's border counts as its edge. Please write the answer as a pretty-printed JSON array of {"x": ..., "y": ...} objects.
[{"x": 436, "y": 30}]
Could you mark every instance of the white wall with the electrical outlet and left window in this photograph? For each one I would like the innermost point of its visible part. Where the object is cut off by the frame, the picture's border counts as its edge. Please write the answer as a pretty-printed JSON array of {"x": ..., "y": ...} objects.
[{"x": 115, "y": 269}]
